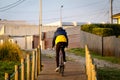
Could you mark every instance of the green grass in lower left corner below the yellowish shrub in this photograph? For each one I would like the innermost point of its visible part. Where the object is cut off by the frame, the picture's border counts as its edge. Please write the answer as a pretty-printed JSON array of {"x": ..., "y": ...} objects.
[{"x": 8, "y": 67}]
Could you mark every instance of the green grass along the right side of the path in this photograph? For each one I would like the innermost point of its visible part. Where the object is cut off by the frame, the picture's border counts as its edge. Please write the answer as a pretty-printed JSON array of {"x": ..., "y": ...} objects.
[{"x": 102, "y": 73}]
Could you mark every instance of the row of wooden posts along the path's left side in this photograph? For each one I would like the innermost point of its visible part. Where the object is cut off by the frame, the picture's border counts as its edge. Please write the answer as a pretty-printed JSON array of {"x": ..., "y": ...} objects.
[{"x": 35, "y": 59}]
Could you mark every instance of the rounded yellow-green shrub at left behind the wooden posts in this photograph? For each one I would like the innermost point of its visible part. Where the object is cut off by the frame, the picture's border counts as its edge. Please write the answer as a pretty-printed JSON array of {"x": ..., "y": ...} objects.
[{"x": 10, "y": 51}]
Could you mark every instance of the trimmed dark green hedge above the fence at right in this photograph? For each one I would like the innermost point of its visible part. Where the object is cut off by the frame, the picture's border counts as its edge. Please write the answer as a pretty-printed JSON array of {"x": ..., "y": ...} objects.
[{"x": 106, "y": 29}]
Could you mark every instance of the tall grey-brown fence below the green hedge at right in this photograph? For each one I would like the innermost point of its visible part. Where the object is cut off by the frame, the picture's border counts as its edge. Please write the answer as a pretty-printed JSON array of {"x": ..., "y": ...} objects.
[{"x": 105, "y": 46}]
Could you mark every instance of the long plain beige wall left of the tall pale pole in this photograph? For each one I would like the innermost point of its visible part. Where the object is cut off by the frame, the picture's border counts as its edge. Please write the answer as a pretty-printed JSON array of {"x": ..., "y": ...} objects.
[{"x": 21, "y": 30}]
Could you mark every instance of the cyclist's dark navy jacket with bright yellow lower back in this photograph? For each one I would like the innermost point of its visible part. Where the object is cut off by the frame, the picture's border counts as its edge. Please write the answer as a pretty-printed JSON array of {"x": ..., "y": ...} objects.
[{"x": 60, "y": 36}]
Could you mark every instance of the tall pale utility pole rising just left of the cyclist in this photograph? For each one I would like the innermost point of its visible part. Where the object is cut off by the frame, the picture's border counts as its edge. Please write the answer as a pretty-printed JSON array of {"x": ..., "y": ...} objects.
[{"x": 40, "y": 22}]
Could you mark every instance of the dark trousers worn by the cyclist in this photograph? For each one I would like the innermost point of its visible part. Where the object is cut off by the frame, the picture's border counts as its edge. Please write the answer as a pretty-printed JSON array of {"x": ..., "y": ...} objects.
[{"x": 58, "y": 46}]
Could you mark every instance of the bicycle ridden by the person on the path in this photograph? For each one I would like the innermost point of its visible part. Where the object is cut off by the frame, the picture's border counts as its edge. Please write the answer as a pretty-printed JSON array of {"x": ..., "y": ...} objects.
[{"x": 61, "y": 62}]
